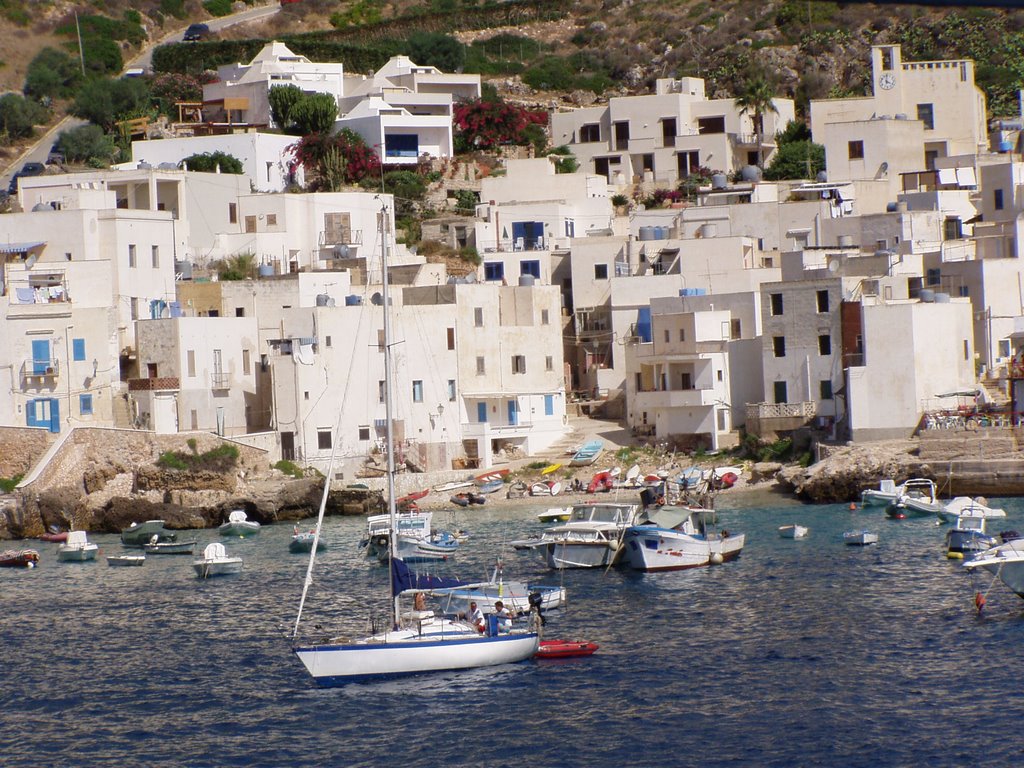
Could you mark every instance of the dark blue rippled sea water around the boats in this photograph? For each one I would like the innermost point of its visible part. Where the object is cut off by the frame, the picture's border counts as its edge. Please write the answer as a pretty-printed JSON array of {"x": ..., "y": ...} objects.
[{"x": 800, "y": 654}]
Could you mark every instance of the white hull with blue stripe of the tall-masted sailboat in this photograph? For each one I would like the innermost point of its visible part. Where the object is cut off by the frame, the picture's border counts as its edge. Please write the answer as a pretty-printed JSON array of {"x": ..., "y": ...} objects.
[{"x": 410, "y": 653}]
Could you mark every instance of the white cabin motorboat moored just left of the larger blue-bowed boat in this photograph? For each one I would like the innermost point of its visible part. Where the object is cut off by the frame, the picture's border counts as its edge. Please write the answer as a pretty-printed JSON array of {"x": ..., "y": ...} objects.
[{"x": 591, "y": 539}]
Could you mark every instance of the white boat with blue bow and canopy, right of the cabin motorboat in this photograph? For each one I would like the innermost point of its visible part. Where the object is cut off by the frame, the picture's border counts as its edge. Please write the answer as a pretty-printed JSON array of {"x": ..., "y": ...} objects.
[{"x": 676, "y": 538}]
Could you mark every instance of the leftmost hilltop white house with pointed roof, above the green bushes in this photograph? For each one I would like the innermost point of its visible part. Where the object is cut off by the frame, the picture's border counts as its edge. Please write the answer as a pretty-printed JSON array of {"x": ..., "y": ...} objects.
[{"x": 241, "y": 96}]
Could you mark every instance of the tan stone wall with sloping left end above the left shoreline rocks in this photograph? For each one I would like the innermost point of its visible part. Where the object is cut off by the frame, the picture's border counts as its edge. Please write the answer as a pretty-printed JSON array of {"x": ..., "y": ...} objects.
[{"x": 103, "y": 453}]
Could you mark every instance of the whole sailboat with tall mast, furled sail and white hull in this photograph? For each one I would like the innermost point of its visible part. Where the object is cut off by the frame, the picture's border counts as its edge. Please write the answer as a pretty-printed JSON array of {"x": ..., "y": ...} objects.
[{"x": 419, "y": 642}]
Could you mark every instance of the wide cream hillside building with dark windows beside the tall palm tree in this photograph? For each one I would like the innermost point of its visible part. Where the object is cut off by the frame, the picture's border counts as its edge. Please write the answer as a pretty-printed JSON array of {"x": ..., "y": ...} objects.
[{"x": 667, "y": 136}]
